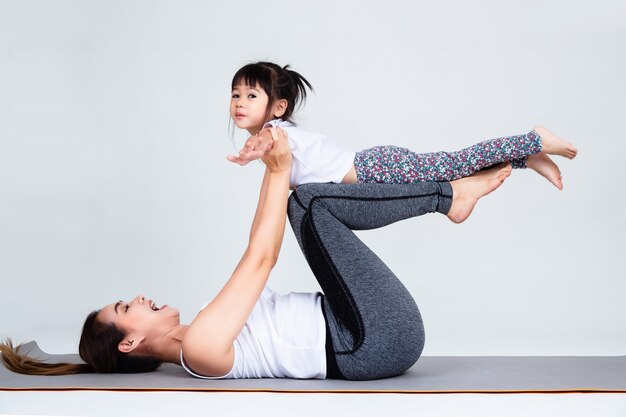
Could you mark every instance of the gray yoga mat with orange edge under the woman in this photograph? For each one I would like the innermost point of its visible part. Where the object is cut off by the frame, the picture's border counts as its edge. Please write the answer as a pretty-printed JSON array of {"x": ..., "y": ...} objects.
[{"x": 431, "y": 374}]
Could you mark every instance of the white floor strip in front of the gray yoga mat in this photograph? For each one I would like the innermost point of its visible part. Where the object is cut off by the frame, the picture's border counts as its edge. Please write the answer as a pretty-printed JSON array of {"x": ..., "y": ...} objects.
[{"x": 90, "y": 403}]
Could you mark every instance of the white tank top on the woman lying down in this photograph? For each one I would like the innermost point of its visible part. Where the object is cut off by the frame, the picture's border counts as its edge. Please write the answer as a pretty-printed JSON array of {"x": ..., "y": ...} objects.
[{"x": 284, "y": 337}]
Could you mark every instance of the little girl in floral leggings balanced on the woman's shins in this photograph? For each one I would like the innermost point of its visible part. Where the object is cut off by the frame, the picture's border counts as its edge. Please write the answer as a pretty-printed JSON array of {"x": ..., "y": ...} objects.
[{"x": 265, "y": 95}]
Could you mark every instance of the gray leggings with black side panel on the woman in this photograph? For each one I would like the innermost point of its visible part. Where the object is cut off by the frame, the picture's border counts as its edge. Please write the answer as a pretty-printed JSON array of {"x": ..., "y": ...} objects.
[{"x": 374, "y": 328}]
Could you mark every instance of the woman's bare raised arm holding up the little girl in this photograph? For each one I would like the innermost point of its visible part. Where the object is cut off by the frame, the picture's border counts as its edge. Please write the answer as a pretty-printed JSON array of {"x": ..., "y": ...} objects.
[{"x": 208, "y": 344}]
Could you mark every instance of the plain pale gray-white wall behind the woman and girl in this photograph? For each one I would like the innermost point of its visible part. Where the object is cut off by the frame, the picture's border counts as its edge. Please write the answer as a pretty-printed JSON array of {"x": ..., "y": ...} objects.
[{"x": 114, "y": 182}]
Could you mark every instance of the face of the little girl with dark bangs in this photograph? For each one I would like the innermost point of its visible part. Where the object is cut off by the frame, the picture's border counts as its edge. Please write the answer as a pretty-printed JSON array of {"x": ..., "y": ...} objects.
[{"x": 248, "y": 107}]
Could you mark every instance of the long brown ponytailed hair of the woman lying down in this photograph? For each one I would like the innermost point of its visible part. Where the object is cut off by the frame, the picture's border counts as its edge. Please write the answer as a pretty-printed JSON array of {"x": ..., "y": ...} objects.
[{"x": 97, "y": 347}]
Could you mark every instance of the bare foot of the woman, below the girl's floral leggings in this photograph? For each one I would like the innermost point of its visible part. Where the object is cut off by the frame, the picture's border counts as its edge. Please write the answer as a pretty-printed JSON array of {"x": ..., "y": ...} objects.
[{"x": 467, "y": 191}]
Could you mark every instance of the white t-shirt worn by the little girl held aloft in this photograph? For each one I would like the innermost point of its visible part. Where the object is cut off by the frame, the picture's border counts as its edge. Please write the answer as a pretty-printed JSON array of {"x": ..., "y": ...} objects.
[{"x": 316, "y": 158}]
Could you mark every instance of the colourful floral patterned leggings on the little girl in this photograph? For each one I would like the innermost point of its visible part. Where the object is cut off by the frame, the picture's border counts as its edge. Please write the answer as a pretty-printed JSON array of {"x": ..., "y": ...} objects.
[{"x": 395, "y": 165}]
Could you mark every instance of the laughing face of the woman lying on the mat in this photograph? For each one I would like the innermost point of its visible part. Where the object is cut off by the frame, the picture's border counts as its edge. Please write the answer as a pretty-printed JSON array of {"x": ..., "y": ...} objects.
[{"x": 140, "y": 319}]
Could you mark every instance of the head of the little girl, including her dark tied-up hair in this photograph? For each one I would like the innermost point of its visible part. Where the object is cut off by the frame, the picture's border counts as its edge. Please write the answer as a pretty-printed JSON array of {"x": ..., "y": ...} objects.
[{"x": 263, "y": 91}]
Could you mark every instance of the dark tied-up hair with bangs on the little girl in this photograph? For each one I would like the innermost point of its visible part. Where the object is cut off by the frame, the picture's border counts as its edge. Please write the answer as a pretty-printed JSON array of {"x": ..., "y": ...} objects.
[{"x": 277, "y": 82}]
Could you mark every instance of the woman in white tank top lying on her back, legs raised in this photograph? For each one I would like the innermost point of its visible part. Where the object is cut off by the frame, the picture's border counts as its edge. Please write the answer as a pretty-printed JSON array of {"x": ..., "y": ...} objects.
[{"x": 365, "y": 325}]
